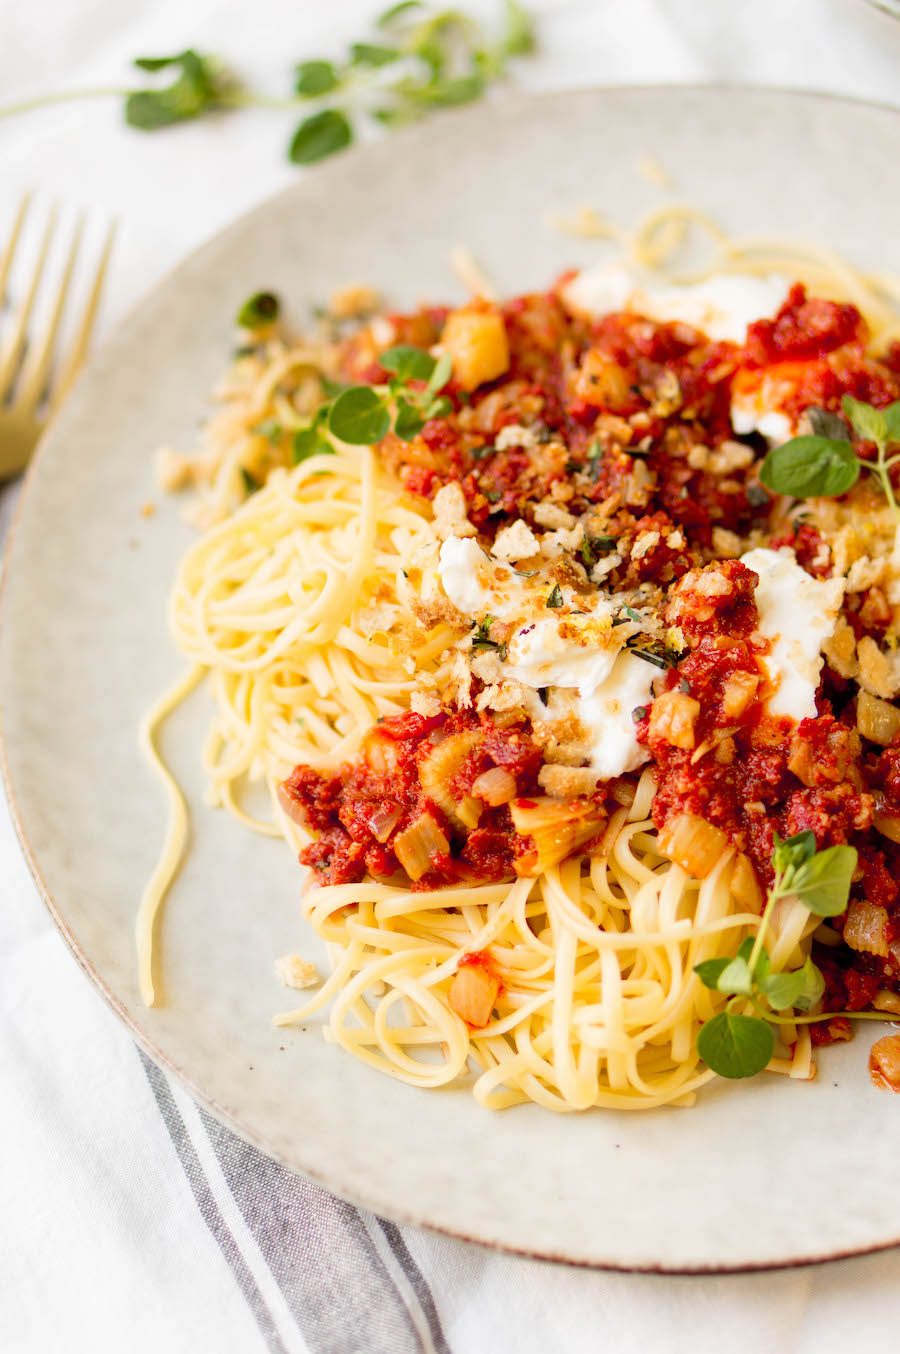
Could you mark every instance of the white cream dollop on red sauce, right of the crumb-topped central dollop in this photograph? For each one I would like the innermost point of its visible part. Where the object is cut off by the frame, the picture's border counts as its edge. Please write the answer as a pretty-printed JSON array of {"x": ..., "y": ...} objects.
[{"x": 798, "y": 614}]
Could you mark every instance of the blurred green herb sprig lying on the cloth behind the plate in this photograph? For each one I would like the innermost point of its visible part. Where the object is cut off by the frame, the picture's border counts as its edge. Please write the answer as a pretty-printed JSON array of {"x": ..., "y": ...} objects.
[{"x": 428, "y": 59}]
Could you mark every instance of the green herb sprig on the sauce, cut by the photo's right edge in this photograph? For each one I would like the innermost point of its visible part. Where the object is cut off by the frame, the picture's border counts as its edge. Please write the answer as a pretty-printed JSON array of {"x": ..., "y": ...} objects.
[{"x": 825, "y": 464}]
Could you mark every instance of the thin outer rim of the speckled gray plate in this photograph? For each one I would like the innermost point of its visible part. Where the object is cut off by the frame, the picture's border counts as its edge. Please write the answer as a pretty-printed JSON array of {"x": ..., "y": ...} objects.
[{"x": 145, "y": 1043}]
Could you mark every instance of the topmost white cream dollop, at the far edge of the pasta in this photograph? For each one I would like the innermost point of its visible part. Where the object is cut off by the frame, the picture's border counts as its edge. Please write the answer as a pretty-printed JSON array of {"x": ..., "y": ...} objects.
[{"x": 722, "y": 307}]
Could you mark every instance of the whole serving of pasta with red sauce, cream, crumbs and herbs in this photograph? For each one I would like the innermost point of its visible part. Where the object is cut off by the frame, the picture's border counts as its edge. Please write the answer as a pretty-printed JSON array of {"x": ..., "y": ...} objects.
[{"x": 562, "y": 634}]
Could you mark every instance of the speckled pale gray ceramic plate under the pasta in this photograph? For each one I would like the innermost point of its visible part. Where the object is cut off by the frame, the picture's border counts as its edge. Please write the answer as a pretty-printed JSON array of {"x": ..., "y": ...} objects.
[{"x": 85, "y": 651}]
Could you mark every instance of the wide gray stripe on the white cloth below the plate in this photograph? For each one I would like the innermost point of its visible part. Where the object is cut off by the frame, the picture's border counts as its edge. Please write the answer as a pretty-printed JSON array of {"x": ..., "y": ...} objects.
[{"x": 334, "y": 1280}]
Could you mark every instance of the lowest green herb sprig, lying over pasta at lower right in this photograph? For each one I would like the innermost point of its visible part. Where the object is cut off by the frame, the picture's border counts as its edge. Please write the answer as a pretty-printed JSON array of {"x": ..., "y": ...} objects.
[{"x": 733, "y": 1043}]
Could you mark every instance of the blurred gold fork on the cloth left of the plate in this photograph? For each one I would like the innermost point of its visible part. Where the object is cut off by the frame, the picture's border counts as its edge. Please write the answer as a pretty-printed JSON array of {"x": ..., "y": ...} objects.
[{"x": 32, "y": 387}]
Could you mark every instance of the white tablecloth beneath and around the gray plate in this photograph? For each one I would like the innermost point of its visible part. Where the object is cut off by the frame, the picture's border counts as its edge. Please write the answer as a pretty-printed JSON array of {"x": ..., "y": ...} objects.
[{"x": 129, "y": 1221}]
